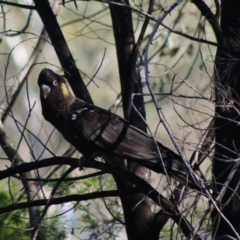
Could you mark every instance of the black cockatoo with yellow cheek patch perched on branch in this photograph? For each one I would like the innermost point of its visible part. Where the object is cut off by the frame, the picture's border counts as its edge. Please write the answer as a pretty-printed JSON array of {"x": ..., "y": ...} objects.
[{"x": 93, "y": 130}]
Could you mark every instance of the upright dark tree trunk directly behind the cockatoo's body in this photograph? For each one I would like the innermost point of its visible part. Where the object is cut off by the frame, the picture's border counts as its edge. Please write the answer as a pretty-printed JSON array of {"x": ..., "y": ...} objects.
[{"x": 136, "y": 207}]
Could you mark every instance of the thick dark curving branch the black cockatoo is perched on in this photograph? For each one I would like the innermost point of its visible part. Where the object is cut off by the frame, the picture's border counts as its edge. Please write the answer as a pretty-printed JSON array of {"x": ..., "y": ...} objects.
[{"x": 141, "y": 185}]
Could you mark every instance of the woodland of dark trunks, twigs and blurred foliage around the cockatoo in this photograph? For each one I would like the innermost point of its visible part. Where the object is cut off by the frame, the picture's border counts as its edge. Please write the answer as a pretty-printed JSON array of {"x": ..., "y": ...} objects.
[{"x": 173, "y": 63}]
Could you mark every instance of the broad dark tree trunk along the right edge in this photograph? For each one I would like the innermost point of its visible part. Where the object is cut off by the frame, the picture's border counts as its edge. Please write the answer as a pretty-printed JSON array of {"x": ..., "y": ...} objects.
[{"x": 227, "y": 117}]
